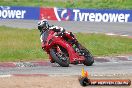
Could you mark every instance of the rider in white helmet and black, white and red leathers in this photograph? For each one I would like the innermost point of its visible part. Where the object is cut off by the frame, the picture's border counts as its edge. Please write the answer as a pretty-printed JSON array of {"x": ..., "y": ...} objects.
[{"x": 44, "y": 27}]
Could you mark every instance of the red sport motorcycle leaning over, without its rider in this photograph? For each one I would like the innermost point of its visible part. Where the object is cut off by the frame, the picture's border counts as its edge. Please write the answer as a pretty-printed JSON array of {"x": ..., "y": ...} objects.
[{"x": 62, "y": 51}]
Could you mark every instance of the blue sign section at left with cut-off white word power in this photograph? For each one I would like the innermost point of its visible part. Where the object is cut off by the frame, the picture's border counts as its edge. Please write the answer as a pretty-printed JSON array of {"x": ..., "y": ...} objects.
[{"x": 7, "y": 12}]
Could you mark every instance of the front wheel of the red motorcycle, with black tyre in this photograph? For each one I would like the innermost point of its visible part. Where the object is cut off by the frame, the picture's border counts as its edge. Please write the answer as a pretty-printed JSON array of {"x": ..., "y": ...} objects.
[{"x": 61, "y": 58}]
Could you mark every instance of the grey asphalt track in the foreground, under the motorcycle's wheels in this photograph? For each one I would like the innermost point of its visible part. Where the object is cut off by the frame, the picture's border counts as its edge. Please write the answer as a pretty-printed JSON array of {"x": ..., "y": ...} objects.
[{"x": 98, "y": 69}]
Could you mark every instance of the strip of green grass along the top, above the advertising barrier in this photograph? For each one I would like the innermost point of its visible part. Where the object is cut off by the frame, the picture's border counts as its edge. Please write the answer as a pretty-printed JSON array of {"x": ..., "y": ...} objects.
[{"x": 112, "y": 4}]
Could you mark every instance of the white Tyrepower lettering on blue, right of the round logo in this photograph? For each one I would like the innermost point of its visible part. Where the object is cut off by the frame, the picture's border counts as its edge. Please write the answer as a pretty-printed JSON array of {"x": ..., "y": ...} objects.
[{"x": 101, "y": 15}]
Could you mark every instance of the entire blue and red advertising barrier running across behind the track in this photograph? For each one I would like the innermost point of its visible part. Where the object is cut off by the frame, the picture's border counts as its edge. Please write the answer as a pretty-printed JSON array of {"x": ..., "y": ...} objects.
[{"x": 65, "y": 14}]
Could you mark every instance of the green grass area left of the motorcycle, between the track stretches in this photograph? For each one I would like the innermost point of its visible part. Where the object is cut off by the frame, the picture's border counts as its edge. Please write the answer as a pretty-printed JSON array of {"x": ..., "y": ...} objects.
[{"x": 19, "y": 44}]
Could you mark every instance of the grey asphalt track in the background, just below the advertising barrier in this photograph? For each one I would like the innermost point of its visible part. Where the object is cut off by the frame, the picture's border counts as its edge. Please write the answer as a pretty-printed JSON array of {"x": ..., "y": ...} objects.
[{"x": 116, "y": 28}]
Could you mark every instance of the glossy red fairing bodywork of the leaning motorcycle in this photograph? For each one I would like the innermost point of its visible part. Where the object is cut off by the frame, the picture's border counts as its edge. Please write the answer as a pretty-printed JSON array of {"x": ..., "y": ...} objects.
[{"x": 58, "y": 40}]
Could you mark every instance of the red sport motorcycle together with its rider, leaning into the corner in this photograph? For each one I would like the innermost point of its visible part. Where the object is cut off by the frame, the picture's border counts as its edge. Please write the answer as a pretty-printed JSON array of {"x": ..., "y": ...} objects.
[{"x": 62, "y": 46}]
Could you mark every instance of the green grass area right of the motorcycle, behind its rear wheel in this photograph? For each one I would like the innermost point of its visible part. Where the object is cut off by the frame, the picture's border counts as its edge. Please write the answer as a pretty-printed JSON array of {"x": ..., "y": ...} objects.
[{"x": 104, "y": 45}]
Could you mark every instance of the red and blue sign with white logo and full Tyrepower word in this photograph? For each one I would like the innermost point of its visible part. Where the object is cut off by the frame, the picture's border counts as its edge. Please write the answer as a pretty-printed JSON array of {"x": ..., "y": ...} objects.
[{"x": 92, "y": 15}]
